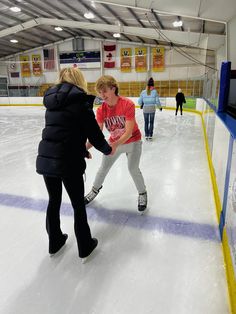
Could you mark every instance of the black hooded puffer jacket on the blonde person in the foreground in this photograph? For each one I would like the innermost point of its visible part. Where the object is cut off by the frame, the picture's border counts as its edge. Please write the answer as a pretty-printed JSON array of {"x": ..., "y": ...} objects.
[{"x": 69, "y": 122}]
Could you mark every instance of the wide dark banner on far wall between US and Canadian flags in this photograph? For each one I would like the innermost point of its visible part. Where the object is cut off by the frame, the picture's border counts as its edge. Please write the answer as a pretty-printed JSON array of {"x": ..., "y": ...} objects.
[{"x": 81, "y": 59}]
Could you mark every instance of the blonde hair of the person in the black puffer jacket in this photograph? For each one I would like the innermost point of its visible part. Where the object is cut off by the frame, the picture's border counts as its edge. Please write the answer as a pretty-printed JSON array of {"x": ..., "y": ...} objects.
[{"x": 73, "y": 76}]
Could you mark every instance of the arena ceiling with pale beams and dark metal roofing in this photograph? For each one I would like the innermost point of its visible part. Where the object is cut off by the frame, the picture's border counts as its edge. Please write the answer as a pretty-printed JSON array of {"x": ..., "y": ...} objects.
[{"x": 139, "y": 21}]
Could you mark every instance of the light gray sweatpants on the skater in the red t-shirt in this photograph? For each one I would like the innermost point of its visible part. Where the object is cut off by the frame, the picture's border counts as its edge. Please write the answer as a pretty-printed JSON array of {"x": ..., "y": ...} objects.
[{"x": 133, "y": 152}]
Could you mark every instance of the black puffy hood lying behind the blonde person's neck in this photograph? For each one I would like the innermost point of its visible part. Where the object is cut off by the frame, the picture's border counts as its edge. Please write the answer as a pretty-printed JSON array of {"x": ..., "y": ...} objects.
[{"x": 56, "y": 97}]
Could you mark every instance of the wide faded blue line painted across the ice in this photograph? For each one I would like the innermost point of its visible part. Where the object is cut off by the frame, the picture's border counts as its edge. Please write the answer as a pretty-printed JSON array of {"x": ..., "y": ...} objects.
[{"x": 131, "y": 219}]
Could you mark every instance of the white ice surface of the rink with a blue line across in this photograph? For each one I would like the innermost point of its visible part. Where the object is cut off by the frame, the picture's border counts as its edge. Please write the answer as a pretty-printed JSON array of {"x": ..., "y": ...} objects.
[{"x": 169, "y": 261}]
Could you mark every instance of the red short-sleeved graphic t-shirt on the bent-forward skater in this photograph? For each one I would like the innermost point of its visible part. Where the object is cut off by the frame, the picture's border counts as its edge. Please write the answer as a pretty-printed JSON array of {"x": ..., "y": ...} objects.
[{"x": 114, "y": 119}]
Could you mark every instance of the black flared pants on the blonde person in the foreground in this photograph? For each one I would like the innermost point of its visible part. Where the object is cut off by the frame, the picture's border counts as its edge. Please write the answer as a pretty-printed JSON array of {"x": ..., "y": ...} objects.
[{"x": 74, "y": 186}]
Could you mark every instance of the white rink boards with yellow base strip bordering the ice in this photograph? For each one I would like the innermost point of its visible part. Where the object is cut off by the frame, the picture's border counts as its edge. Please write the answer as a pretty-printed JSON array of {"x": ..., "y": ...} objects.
[{"x": 220, "y": 141}]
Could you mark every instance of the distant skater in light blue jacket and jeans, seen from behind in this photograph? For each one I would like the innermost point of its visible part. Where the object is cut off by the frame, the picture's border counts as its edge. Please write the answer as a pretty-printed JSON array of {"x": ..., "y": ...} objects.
[{"x": 148, "y": 101}]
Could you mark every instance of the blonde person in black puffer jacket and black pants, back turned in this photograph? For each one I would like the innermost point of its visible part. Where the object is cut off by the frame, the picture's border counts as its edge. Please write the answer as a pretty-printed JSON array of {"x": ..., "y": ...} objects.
[{"x": 69, "y": 122}]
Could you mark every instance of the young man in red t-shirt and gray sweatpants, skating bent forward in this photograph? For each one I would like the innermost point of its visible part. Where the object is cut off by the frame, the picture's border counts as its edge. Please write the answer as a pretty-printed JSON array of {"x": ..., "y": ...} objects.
[{"x": 117, "y": 114}]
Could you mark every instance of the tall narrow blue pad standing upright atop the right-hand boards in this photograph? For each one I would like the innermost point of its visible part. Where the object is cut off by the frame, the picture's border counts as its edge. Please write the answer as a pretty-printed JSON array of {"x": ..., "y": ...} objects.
[{"x": 224, "y": 85}]
